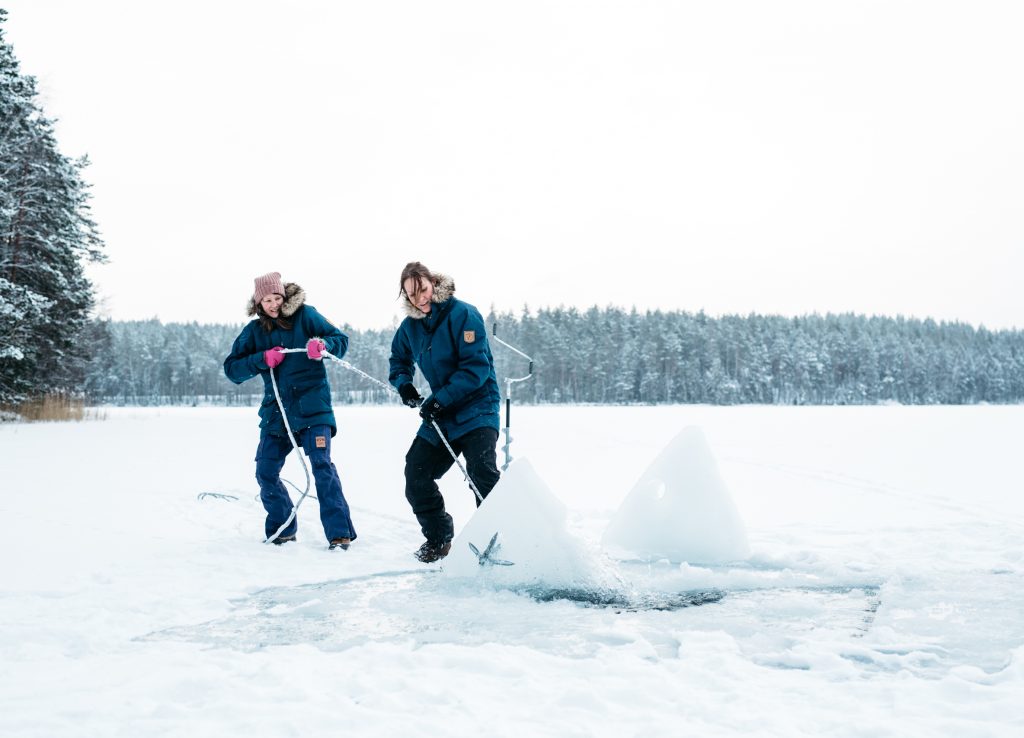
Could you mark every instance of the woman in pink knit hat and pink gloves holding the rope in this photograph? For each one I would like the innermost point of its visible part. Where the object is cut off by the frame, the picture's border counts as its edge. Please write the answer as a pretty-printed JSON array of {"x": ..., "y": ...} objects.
[{"x": 284, "y": 321}]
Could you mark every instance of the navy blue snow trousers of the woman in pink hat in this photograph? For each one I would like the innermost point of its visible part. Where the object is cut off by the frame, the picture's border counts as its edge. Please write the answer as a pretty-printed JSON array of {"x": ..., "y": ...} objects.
[{"x": 271, "y": 455}]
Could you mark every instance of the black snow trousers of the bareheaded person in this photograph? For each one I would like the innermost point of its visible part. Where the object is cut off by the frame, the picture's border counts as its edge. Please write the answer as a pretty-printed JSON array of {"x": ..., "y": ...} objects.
[{"x": 426, "y": 463}]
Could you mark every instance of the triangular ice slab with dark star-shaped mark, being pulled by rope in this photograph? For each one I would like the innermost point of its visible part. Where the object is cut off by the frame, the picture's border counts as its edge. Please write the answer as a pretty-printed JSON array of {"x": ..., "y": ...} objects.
[{"x": 531, "y": 524}]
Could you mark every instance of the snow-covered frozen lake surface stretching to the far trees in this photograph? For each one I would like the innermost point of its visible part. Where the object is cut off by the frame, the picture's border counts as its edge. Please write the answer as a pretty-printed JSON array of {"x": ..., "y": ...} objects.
[{"x": 884, "y": 595}]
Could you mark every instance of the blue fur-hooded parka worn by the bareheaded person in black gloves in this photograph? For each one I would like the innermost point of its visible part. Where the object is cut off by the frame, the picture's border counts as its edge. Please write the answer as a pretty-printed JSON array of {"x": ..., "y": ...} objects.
[{"x": 450, "y": 345}]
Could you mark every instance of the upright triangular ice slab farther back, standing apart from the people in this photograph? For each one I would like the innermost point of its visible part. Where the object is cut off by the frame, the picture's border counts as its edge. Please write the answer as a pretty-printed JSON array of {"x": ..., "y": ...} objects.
[{"x": 680, "y": 509}]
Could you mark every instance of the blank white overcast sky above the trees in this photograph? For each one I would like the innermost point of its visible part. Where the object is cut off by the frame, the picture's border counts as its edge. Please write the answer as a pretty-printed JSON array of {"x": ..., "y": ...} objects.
[{"x": 736, "y": 157}]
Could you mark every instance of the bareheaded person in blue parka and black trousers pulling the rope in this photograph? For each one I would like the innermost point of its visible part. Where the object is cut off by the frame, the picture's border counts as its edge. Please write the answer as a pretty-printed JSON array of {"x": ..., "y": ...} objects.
[{"x": 447, "y": 339}]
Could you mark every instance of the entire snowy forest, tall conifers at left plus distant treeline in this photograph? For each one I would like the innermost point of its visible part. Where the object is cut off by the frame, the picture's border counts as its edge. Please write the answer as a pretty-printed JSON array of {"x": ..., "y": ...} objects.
[{"x": 50, "y": 344}]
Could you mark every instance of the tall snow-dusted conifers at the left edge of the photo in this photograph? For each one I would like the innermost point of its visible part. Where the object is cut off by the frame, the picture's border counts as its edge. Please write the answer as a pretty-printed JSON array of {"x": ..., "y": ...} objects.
[{"x": 47, "y": 236}]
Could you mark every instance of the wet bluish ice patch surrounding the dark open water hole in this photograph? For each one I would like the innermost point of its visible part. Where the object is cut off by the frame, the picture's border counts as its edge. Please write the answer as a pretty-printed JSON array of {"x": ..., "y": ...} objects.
[{"x": 423, "y": 607}]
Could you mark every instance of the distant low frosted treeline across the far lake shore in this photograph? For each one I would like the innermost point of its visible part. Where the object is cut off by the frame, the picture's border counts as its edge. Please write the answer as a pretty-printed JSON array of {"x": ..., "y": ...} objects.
[{"x": 618, "y": 357}]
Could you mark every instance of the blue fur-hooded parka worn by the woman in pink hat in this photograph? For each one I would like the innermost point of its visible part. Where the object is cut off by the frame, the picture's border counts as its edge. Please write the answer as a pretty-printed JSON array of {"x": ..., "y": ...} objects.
[{"x": 302, "y": 381}]
